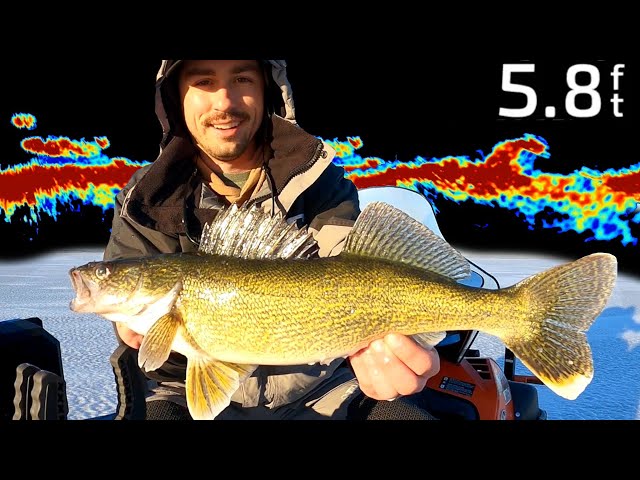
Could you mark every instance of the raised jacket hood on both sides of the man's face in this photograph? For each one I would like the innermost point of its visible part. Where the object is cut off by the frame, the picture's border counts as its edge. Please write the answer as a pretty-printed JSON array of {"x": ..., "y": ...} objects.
[{"x": 278, "y": 97}]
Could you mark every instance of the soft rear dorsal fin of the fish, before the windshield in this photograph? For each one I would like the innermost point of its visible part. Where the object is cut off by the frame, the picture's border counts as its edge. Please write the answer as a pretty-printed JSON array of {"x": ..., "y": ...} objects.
[{"x": 384, "y": 231}]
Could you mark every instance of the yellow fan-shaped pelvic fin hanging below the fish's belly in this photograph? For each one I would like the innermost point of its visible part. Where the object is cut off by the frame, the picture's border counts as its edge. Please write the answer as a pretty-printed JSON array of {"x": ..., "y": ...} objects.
[{"x": 210, "y": 385}]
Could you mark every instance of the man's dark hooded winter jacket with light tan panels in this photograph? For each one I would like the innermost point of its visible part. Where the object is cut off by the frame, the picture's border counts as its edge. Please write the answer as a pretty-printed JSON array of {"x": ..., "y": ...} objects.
[{"x": 165, "y": 204}]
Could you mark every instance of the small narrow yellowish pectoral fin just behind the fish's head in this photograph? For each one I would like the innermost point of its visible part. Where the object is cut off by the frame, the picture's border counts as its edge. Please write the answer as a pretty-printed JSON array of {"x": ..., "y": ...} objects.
[{"x": 156, "y": 345}]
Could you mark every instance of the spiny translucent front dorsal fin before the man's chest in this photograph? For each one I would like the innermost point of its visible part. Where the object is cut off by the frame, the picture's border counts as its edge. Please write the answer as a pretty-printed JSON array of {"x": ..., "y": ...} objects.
[{"x": 250, "y": 232}]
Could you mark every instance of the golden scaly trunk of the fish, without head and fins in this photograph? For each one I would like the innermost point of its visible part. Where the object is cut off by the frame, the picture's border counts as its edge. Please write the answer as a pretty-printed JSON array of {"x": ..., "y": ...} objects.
[{"x": 286, "y": 312}]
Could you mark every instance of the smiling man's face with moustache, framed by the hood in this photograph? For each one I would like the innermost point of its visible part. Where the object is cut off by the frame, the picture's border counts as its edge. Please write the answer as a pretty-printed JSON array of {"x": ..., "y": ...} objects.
[{"x": 223, "y": 104}]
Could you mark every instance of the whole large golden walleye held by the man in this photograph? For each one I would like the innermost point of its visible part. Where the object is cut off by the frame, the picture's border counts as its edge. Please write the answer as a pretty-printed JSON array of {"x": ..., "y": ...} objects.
[{"x": 254, "y": 294}]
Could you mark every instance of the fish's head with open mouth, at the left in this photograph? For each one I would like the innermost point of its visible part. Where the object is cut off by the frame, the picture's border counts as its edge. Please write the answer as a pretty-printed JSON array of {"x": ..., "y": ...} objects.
[{"x": 119, "y": 289}]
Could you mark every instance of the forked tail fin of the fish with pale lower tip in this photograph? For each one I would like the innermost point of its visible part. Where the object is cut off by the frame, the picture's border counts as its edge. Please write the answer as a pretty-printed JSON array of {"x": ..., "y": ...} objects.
[{"x": 563, "y": 303}]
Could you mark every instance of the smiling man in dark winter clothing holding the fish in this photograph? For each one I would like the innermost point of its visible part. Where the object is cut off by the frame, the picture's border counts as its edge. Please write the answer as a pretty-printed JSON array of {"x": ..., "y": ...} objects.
[{"x": 230, "y": 136}]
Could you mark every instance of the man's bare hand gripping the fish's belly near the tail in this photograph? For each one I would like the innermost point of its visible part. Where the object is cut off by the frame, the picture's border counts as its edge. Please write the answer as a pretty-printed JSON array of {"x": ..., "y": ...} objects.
[{"x": 393, "y": 366}]
